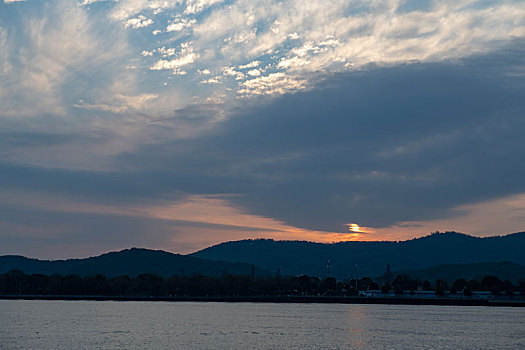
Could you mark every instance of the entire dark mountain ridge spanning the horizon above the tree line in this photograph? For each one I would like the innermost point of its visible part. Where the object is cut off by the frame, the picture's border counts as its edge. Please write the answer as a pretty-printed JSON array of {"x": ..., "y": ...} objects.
[{"x": 272, "y": 257}]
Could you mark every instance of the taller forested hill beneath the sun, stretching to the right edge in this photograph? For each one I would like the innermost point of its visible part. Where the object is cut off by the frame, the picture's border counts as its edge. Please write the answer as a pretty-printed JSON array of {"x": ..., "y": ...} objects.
[{"x": 299, "y": 257}]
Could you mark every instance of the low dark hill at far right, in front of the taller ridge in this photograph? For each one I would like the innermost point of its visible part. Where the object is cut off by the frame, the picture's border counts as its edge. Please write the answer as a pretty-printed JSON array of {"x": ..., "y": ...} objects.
[{"x": 505, "y": 270}]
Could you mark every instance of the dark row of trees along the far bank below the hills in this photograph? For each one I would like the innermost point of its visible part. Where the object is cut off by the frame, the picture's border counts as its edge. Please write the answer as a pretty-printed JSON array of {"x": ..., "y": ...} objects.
[{"x": 16, "y": 282}]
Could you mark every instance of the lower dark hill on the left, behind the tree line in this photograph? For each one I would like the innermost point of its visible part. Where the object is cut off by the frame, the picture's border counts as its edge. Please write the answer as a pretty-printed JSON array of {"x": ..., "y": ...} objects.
[{"x": 130, "y": 262}]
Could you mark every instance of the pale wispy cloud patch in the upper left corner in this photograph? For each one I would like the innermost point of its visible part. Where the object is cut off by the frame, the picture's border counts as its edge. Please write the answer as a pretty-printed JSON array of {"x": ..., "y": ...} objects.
[{"x": 51, "y": 60}]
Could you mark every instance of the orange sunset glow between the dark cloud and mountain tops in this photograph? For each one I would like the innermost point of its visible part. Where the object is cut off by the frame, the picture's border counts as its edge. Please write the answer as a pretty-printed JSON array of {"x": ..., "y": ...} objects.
[{"x": 201, "y": 221}]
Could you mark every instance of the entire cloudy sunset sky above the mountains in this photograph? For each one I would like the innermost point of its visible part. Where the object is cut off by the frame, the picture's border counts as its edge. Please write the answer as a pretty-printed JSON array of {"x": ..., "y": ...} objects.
[{"x": 179, "y": 124}]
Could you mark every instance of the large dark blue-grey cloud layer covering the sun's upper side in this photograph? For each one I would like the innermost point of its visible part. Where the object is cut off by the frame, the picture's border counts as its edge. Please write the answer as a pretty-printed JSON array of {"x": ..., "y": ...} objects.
[{"x": 378, "y": 147}]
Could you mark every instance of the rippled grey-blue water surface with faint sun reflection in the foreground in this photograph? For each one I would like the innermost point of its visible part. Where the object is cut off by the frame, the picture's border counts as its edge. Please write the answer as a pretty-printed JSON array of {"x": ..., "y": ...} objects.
[{"x": 197, "y": 325}]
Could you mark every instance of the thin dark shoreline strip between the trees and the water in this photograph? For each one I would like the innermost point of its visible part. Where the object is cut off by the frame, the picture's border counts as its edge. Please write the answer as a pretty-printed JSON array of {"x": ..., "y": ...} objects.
[{"x": 282, "y": 299}]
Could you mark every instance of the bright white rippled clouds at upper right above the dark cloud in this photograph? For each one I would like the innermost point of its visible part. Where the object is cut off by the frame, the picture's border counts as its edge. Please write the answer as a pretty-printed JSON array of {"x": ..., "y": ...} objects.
[{"x": 343, "y": 36}]
